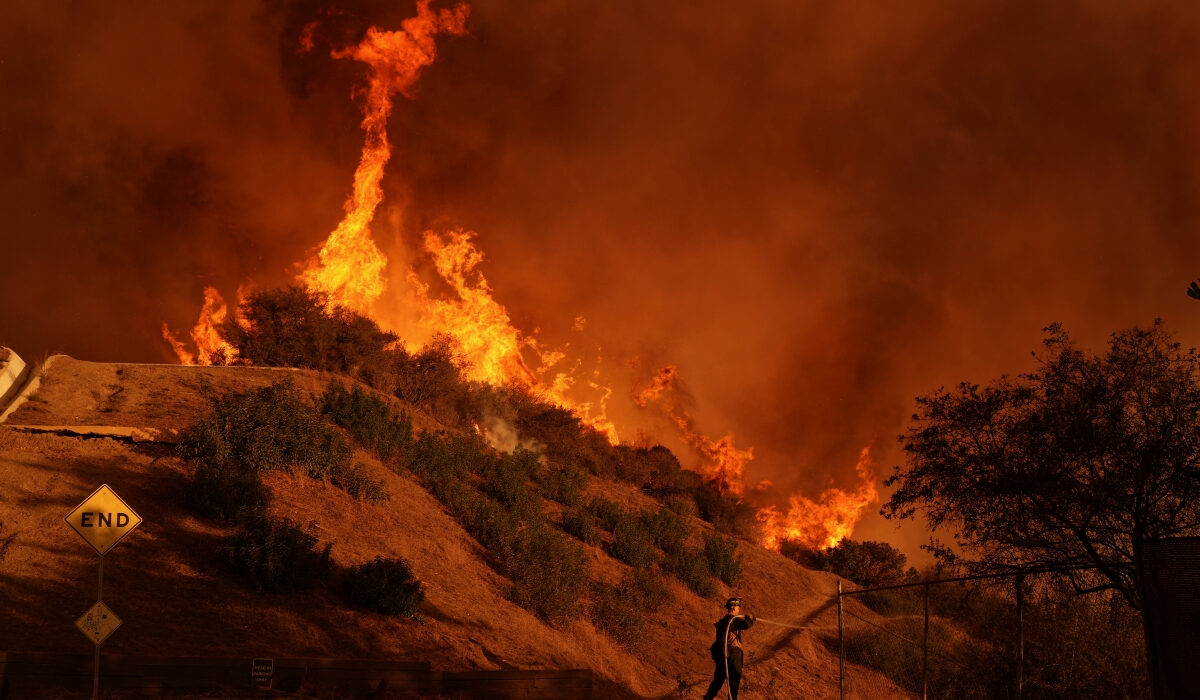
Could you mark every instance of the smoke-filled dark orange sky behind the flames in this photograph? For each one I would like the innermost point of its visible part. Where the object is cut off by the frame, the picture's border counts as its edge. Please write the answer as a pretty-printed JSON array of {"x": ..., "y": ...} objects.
[{"x": 817, "y": 211}]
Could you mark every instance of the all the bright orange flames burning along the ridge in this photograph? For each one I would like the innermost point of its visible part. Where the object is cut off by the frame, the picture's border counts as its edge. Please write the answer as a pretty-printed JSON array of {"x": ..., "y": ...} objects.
[{"x": 352, "y": 272}]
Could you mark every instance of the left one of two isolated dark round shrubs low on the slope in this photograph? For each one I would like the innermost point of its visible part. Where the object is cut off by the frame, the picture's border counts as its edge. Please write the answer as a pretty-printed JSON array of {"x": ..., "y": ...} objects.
[{"x": 278, "y": 557}]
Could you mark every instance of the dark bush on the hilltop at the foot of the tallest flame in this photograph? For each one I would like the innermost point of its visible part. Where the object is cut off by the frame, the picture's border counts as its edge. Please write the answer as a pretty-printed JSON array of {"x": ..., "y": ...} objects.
[{"x": 297, "y": 328}]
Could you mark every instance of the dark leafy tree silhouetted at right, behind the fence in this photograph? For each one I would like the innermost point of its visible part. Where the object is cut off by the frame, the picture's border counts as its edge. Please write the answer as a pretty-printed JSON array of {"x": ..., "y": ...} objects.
[{"x": 1071, "y": 468}]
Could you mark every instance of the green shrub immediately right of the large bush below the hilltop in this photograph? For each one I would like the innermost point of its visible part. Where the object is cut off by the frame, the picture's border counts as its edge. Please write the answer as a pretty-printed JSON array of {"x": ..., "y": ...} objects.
[{"x": 370, "y": 421}]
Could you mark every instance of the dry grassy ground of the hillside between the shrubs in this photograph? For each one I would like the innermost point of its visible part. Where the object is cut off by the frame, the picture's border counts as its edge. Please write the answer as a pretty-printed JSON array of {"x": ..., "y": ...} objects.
[{"x": 91, "y": 423}]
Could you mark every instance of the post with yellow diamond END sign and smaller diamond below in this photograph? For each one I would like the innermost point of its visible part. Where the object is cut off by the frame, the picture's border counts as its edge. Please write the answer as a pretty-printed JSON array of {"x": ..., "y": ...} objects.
[{"x": 103, "y": 520}]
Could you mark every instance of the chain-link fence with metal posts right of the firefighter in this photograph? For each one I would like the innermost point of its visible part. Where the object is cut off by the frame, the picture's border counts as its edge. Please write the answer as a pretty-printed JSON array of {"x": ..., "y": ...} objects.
[{"x": 1004, "y": 637}]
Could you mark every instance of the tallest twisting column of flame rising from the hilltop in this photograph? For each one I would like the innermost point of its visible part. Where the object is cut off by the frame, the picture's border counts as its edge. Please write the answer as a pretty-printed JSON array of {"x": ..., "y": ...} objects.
[{"x": 350, "y": 267}]
